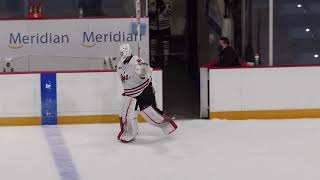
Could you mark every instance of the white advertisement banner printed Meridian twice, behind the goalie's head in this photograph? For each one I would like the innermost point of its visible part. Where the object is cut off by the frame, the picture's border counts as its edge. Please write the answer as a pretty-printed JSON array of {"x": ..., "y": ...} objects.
[{"x": 88, "y": 38}]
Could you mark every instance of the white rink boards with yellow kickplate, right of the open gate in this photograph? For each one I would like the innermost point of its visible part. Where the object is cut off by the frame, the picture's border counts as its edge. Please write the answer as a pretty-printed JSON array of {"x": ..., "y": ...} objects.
[{"x": 260, "y": 93}]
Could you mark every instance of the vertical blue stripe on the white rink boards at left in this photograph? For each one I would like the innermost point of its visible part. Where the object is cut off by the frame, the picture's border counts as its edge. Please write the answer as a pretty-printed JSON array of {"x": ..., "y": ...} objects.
[{"x": 48, "y": 99}]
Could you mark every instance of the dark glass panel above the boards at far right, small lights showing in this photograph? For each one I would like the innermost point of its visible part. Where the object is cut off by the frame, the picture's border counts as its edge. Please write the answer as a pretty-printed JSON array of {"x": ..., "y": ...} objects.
[{"x": 296, "y": 31}]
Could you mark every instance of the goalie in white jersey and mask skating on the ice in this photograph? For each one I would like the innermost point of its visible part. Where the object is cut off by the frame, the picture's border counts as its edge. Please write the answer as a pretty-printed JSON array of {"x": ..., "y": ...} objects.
[{"x": 135, "y": 75}]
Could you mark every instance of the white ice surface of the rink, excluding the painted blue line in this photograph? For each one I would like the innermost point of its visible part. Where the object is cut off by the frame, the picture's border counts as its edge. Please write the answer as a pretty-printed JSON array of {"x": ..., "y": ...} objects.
[{"x": 199, "y": 150}]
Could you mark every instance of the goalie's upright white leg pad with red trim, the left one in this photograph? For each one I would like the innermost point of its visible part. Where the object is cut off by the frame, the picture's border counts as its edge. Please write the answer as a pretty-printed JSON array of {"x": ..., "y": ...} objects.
[{"x": 128, "y": 120}]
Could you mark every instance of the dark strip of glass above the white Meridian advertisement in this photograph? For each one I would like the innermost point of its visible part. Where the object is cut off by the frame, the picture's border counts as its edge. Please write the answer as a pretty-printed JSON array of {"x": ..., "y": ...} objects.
[{"x": 72, "y": 8}]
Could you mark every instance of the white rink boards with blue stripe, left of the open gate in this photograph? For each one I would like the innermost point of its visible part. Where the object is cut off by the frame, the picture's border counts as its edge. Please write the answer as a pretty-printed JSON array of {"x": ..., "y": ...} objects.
[{"x": 80, "y": 97}]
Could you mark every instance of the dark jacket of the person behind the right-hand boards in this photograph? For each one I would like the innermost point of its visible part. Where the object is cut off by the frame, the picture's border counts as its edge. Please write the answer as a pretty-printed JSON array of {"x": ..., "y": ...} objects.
[{"x": 228, "y": 58}]
